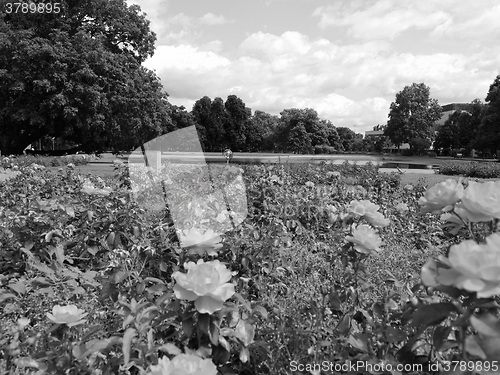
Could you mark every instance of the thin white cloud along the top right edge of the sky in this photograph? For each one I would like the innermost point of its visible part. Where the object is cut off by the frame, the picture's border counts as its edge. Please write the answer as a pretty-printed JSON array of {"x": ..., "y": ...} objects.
[{"x": 387, "y": 19}]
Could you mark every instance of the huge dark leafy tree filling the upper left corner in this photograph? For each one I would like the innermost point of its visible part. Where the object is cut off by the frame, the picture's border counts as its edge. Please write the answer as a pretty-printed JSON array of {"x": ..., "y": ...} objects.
[{"x": 78, "y": 75}]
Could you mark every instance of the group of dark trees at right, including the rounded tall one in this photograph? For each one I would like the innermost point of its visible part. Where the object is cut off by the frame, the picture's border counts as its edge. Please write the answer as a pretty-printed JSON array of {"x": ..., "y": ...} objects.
[{"x": 413, "y": 116}]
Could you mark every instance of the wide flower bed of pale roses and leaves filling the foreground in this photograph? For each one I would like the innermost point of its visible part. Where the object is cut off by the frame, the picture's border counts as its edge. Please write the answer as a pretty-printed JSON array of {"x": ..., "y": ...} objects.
[{"x": 331, "y": 265}]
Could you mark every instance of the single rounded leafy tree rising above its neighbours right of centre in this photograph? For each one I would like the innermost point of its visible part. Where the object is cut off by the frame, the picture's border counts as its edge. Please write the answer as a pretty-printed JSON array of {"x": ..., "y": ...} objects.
[{"x": 412, "y": 115}]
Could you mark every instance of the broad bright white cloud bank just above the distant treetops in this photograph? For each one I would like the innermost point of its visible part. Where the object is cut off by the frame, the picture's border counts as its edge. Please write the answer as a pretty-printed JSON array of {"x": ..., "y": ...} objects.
[{"x": 349, "y": 85}]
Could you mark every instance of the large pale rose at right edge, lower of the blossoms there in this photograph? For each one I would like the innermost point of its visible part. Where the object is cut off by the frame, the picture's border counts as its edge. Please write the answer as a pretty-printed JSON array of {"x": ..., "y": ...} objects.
[{"x": 471, "y": 266}]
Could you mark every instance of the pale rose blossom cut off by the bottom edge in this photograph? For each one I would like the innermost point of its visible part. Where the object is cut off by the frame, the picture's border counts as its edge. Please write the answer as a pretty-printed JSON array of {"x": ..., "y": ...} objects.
[{"x": 183, "y": 364}]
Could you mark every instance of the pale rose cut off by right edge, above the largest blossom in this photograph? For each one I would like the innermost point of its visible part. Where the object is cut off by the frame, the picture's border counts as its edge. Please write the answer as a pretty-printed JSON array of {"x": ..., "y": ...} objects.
[{"x": 482, "y": 200}]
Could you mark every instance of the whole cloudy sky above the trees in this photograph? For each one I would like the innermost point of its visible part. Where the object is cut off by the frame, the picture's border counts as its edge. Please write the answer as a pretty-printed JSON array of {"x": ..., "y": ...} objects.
[{"x": 346, "y": 59}]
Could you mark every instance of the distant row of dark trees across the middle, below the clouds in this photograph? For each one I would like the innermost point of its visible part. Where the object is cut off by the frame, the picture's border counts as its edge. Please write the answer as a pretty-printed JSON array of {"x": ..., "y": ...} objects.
[{"x": 230, "y": 124}]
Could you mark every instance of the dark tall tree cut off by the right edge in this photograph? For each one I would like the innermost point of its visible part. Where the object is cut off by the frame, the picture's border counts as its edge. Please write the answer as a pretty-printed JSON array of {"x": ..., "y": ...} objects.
[{"x": 489, "y": 131}]
